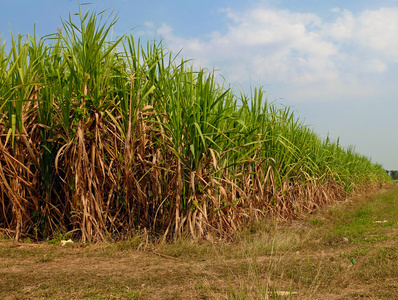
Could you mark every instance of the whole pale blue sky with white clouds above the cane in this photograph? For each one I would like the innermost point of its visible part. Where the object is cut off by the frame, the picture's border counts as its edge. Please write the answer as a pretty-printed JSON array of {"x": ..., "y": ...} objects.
[{"x": 335, "y": 62}]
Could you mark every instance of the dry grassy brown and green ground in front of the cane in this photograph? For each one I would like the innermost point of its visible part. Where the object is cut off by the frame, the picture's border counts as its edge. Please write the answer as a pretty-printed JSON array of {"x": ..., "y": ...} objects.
[{"x": 343, "y": 253}]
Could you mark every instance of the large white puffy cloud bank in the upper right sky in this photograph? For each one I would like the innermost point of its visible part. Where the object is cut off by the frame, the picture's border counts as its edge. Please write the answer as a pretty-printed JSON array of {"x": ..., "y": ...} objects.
[{"x": 297, "y": 51}]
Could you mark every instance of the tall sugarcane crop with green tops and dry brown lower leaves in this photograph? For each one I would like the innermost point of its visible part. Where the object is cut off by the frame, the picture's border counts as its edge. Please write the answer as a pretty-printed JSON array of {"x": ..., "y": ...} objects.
[{"x": 98, "y": 137}]
